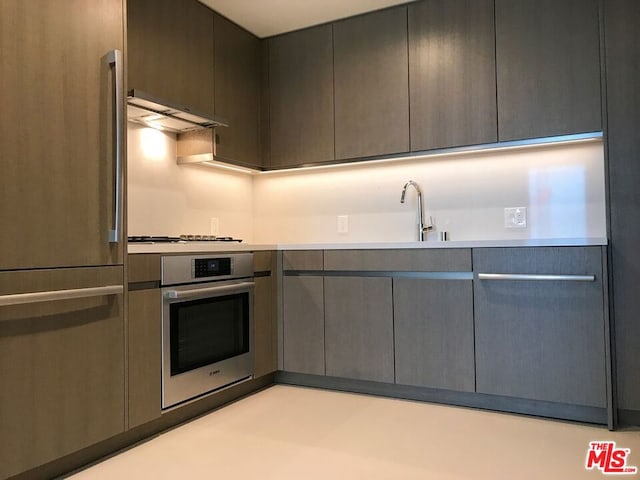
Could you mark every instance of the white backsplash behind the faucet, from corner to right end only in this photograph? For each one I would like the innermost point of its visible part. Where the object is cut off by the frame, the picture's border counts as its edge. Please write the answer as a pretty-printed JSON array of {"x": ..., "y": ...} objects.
[{"x": 562, "y": 187}]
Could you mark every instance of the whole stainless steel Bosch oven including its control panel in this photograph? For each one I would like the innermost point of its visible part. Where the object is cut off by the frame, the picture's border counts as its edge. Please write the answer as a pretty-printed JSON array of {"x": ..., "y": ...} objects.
[{"x": 207, "y": 324}]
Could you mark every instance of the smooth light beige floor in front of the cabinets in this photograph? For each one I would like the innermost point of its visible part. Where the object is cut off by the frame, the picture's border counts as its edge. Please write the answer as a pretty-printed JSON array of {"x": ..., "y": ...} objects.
[{"x": 301, "y": 433}]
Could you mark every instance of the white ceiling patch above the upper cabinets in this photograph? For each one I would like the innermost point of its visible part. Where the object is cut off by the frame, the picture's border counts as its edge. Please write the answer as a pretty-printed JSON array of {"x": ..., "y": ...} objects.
[{"x": 265, "y": 18}]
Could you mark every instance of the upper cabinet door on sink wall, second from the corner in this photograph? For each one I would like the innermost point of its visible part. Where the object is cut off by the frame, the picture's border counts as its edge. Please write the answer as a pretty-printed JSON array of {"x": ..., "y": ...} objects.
[{"x": 371, "y": 84}]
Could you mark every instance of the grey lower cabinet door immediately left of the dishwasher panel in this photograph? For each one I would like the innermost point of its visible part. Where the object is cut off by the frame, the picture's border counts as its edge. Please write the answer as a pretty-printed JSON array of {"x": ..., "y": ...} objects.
[{"x": 433, "y": 333}]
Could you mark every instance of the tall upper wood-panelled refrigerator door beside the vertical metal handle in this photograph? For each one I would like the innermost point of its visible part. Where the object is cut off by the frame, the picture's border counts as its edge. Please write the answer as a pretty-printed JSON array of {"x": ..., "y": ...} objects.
[{"x": 57, "y": 143}]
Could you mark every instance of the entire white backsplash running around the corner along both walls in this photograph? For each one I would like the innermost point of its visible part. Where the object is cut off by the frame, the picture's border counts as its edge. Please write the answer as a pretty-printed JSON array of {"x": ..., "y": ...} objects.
[{"x": 562, "y": 187}]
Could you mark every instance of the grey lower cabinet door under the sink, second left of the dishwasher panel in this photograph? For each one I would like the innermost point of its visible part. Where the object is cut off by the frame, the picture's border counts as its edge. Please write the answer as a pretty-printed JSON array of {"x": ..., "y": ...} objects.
[{"x": 359, "y": 328}]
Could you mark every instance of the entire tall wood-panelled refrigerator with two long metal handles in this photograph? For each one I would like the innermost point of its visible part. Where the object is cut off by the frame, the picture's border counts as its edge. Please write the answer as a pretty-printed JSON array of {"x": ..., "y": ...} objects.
[{"x": 61, "y": 255}]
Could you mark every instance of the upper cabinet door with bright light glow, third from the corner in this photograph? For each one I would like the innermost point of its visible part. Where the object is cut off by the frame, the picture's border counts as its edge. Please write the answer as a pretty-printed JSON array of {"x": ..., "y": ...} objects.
[{"x": 452, "y": 78}]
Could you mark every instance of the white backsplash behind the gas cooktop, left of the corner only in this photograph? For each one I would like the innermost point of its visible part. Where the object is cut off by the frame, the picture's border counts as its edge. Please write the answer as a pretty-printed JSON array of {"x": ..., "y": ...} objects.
[{"x": 169, "y": 199}]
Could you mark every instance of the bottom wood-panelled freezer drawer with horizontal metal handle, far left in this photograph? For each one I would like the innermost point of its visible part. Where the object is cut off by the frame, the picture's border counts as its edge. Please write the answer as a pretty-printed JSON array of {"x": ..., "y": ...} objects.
[{"x": 61, "y": 366}]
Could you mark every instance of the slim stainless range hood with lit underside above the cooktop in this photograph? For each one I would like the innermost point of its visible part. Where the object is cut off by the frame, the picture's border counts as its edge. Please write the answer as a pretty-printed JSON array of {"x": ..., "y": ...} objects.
[{"x": 162, "y": 115}]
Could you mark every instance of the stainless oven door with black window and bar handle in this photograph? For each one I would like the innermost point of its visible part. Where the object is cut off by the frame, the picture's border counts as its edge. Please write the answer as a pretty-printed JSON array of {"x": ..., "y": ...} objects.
[{"x": 206, "y": 338}]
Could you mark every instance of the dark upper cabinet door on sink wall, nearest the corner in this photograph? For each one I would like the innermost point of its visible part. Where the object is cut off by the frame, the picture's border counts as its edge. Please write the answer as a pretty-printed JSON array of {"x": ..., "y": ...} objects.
[{"x": 300, "y": 84}]
